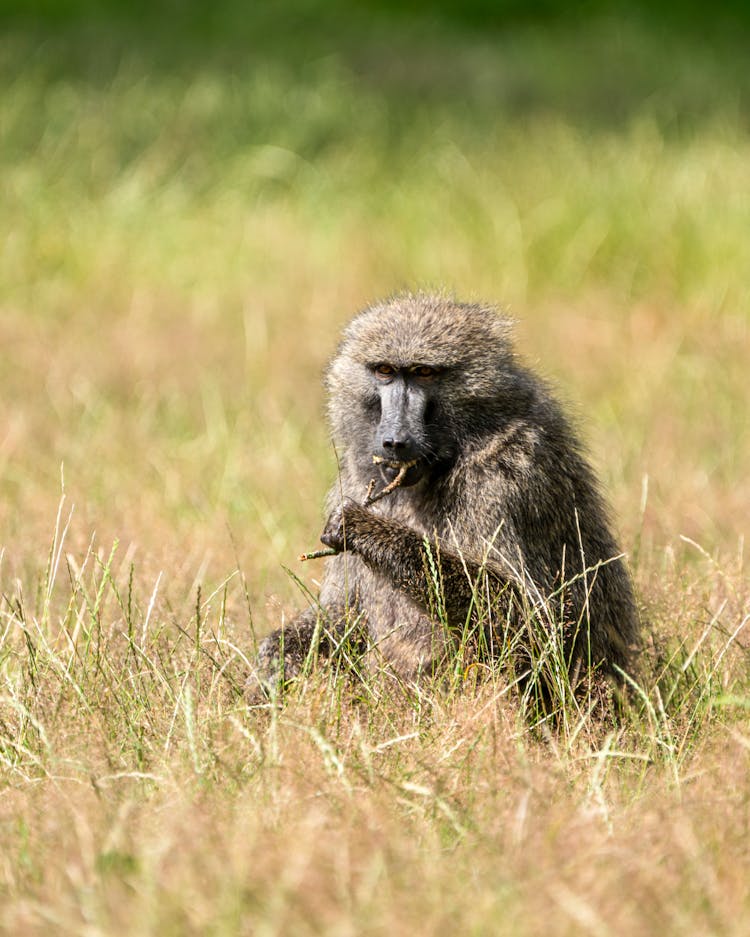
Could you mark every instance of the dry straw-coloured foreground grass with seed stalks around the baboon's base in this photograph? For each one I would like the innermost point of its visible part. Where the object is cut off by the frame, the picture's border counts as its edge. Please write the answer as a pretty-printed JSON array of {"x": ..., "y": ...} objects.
[{"x": 140, "y": 787}]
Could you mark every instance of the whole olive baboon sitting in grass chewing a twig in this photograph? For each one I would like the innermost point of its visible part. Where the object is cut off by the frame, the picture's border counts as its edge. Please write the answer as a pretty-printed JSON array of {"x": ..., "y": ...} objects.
[{"x": 495, "y": 500}]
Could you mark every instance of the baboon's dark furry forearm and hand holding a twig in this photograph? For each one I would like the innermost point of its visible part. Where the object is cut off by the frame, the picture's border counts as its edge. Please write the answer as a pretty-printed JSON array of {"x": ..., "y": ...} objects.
[{"x": 411, "y": 562}]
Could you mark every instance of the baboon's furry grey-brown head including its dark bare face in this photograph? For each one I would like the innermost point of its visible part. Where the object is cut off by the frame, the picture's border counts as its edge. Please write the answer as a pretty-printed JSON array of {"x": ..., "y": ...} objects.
[{"x": 413, "y": 379}]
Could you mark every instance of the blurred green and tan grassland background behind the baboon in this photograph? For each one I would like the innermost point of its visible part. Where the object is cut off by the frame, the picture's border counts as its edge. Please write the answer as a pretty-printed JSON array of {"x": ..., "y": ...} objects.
[{"x": 196, "y": 196}]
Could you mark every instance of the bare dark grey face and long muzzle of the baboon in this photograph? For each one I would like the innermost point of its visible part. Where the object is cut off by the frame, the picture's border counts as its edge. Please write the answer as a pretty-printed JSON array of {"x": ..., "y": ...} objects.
[{"x": 403, "y": 408}]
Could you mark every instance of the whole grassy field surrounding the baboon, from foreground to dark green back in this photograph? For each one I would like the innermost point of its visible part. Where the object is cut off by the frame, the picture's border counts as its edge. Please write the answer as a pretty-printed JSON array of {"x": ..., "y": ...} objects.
[{"x": 188, "y": 213}]
